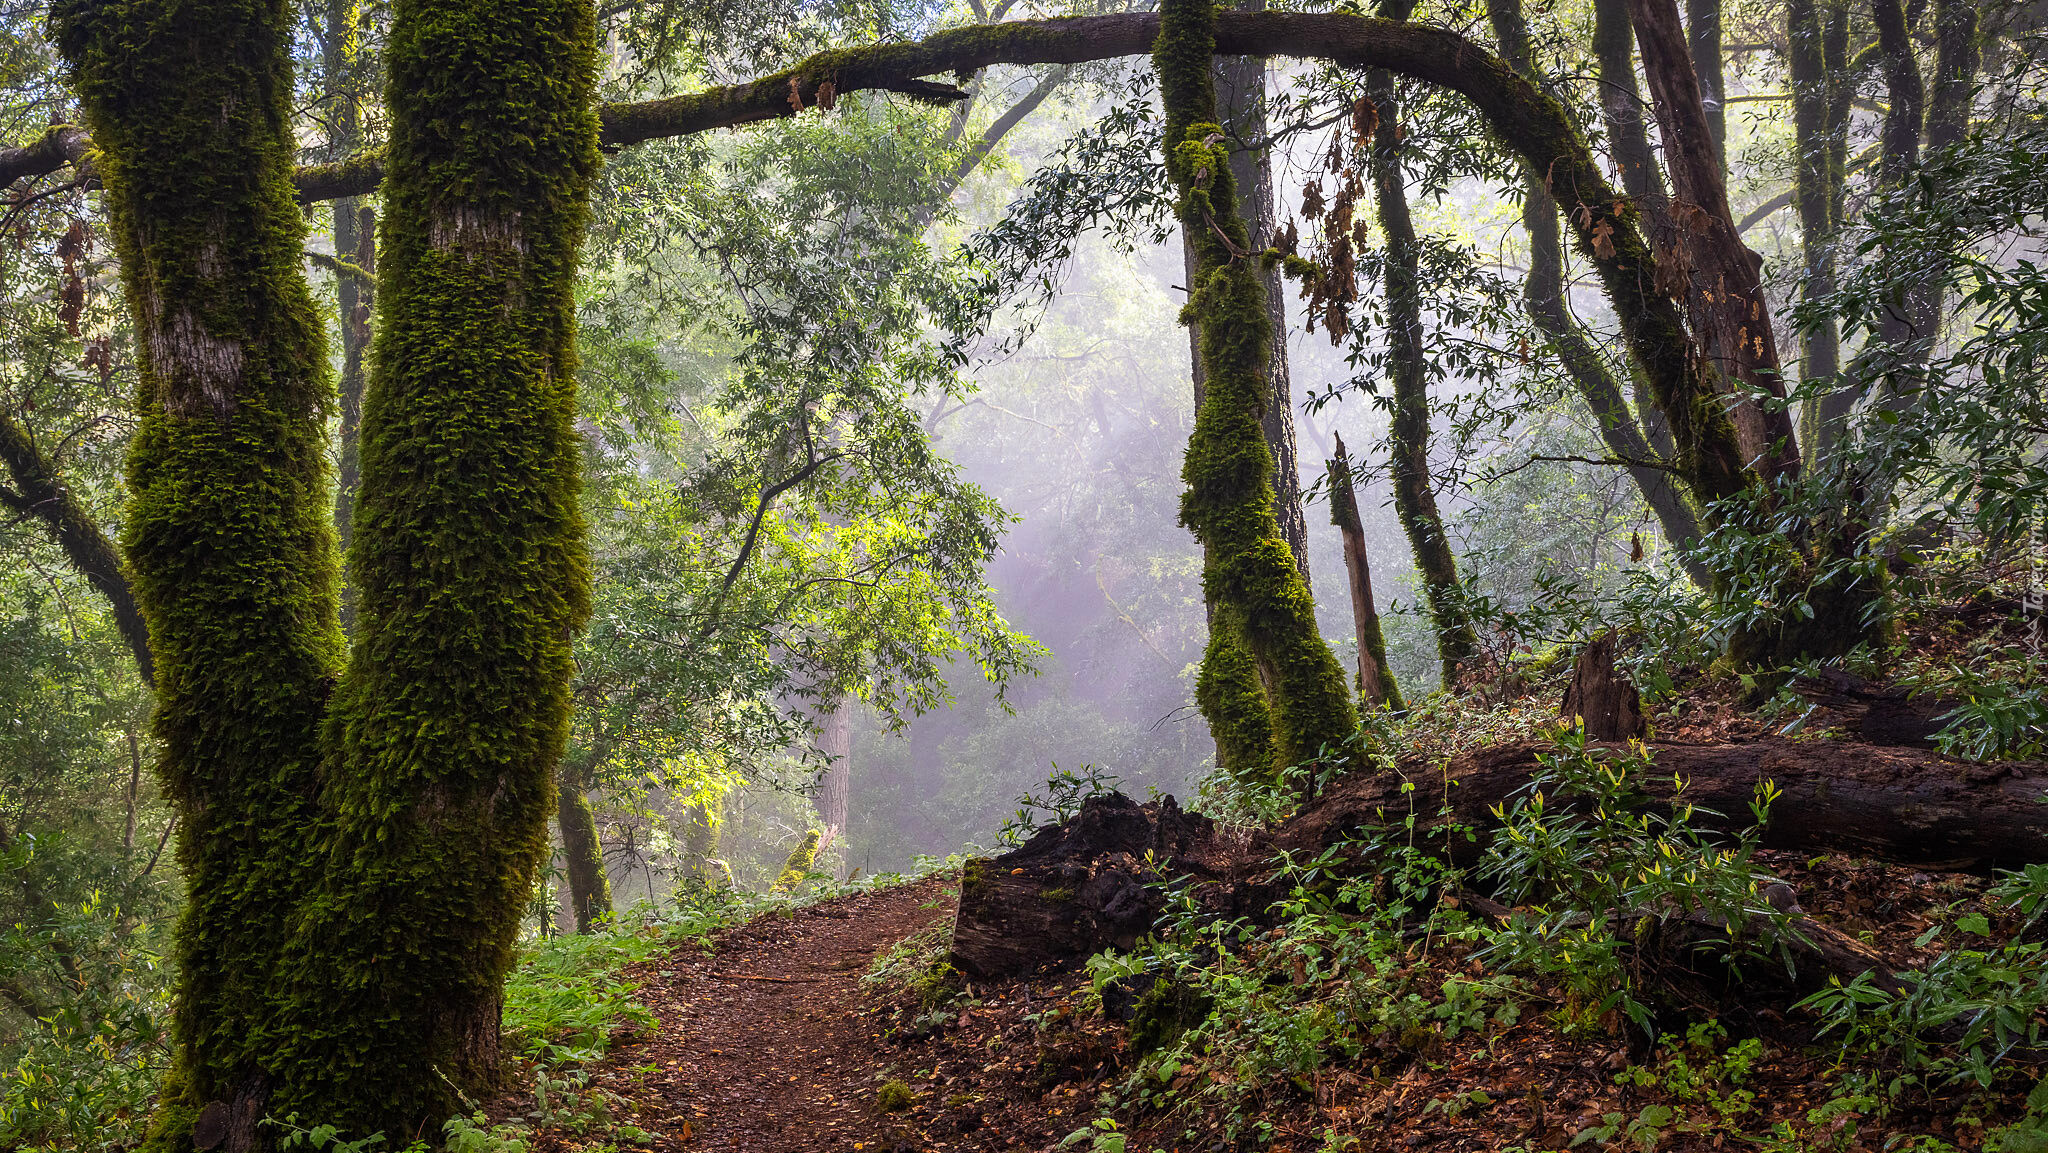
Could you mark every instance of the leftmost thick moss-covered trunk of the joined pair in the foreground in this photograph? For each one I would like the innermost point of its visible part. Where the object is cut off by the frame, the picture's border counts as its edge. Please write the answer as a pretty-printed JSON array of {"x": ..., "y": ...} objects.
[{"x": 226, "y": 536}]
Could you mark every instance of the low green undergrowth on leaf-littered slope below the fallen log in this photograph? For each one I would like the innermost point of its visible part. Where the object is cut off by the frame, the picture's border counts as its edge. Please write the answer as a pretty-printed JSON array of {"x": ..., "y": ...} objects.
[{"x": 1584, "y": 1009}]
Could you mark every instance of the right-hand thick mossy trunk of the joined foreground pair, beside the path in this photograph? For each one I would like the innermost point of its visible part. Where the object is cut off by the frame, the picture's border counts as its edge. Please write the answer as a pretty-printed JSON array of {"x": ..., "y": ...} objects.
[{"x": 470, "y": 566}]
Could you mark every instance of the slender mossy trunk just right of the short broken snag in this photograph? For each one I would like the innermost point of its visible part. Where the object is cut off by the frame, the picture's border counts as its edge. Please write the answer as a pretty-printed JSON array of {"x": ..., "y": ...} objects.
[{"x": 1410, "y": 370}]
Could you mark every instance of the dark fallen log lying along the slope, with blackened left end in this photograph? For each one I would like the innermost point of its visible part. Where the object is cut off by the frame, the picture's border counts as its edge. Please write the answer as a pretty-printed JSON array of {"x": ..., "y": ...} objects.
[{"x": 1091, "y": 884}]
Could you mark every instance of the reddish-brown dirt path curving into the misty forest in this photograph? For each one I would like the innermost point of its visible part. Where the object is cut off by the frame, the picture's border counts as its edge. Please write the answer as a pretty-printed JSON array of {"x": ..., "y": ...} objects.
[{"x": 763, "y": 1045}]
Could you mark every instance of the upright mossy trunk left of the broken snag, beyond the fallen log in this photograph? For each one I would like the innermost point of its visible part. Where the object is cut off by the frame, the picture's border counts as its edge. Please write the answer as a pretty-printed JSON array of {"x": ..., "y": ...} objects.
[{"x": 1267, "y": 663}]
